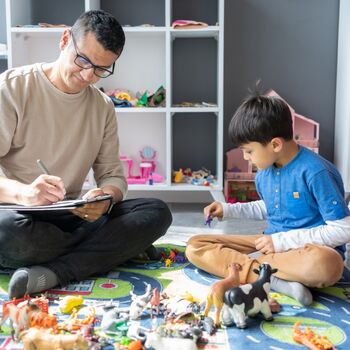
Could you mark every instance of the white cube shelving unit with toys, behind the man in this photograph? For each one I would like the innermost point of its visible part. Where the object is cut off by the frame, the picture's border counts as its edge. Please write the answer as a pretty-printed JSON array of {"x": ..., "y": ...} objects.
[{"x": 188, "y": 63}]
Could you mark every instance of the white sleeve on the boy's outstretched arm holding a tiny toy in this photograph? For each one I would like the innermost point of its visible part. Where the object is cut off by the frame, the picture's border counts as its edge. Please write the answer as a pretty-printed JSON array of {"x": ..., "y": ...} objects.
[{"x": 255, "y": 210}]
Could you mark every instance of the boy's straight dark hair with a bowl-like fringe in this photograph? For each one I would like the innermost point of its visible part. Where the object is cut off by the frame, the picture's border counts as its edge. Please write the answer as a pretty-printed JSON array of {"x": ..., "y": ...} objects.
[{"x": 260, "y": 118}]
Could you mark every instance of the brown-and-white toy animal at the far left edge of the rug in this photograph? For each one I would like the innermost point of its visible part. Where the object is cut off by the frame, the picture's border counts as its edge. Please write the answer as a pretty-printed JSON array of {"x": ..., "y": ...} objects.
[{"x": 18, "y": 315}]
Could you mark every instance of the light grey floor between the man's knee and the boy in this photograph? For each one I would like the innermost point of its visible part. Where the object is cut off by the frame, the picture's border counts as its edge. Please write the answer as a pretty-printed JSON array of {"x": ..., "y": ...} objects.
[{"x": 188, "y": 220}]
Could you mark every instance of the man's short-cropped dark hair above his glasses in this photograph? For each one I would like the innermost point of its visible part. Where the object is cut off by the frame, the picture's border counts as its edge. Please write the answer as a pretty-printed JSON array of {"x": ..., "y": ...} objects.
[{"x": 107, "y": 30}]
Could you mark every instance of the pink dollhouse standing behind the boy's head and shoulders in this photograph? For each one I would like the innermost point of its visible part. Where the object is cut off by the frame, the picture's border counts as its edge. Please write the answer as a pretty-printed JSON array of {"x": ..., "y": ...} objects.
[{"x": 239, "y": 176}]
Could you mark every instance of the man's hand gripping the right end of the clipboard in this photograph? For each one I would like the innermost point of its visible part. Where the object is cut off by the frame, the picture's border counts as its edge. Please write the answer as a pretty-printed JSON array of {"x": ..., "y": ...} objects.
[{"x": 92, "y": 211}]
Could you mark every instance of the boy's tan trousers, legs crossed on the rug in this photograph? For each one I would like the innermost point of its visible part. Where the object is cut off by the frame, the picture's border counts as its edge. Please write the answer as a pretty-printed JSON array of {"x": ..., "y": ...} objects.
[{"x": 314, "y": 265}]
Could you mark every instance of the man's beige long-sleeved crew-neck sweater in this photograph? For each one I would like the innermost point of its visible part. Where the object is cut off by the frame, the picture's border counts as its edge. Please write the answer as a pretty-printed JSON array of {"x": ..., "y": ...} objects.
[{"x": 70, "y": 133}]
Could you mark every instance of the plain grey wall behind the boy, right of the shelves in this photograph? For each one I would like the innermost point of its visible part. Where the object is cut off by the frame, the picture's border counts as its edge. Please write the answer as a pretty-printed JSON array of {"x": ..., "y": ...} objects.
[{"x": 292, "y": 46}]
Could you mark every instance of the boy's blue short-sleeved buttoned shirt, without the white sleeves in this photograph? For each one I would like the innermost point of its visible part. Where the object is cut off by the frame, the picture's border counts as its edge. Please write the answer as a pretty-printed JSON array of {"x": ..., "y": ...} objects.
[{"x": 303, "y": 194}]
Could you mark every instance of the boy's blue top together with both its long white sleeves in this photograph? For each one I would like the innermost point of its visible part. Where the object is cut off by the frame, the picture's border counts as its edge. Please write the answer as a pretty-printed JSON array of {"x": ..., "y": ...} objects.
[{"x": 302, "y": 202}]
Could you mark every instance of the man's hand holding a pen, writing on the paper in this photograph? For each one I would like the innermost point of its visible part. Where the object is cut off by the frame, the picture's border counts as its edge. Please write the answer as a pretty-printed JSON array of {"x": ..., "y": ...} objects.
[{"x": 44, "y": 190}]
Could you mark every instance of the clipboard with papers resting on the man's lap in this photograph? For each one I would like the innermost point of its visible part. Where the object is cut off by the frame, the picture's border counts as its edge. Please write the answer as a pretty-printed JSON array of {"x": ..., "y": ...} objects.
[{"x": 61, "y": 205}]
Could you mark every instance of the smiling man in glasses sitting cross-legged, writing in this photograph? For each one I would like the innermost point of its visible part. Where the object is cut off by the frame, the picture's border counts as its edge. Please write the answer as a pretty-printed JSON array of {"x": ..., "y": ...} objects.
[{"x": 52, "y": 112}]
